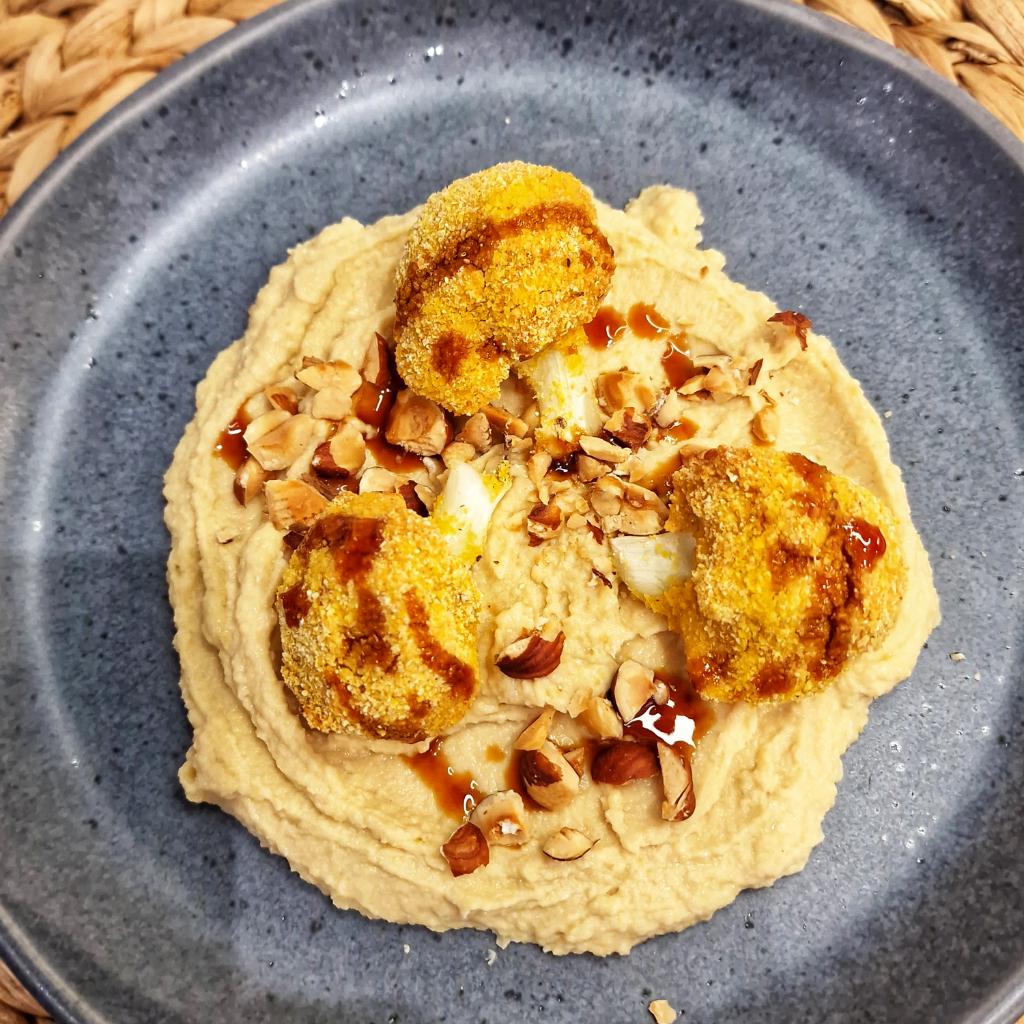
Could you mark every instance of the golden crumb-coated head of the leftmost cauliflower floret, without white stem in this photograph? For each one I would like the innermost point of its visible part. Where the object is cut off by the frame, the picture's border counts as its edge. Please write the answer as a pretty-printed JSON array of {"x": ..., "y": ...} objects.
[{"x": 378, "y": 623}]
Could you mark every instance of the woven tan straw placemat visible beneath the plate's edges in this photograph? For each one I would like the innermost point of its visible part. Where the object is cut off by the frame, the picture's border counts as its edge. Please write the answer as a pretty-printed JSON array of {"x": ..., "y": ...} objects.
[{"x": 64, "y": 64}]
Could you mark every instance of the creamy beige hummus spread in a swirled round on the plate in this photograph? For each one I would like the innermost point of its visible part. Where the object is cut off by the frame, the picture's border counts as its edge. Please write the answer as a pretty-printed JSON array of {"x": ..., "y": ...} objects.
[{"x": 365, "y": 819}]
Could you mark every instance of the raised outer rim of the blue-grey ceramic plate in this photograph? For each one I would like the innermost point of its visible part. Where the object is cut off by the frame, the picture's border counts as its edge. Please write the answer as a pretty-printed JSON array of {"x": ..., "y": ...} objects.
[{"x": 1003, "y": 1005}]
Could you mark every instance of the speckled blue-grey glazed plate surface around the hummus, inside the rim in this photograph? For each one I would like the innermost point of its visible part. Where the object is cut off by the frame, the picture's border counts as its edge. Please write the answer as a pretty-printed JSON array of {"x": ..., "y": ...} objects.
[{"x": 835, "y": 175}]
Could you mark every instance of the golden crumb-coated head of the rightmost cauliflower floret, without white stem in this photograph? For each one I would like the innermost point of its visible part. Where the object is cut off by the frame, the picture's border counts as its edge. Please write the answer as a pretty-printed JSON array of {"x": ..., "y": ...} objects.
[{"x": 797, "y": 571}]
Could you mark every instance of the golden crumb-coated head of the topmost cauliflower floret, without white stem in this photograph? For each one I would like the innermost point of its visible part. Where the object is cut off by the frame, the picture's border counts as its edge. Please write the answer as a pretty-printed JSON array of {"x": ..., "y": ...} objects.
[{"x": 499, "y": 266}]
